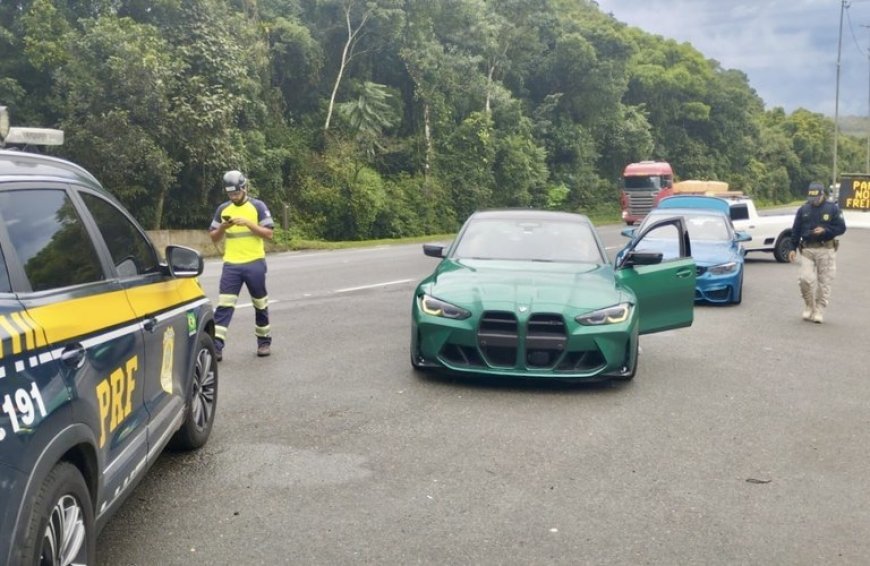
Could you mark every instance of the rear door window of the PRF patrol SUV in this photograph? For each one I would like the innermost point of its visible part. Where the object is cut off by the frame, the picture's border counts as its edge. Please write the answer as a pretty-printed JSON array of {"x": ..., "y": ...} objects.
[{"x": 50, "y": 239}]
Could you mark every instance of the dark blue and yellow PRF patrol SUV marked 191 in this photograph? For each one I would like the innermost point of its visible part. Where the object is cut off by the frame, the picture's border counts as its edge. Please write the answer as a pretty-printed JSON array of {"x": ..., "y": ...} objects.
[{"x": 106, "y": 357}]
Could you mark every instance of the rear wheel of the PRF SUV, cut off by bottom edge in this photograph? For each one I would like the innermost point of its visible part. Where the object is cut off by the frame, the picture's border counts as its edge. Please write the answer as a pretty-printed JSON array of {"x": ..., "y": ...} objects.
[{"x": 61, "y": 530}]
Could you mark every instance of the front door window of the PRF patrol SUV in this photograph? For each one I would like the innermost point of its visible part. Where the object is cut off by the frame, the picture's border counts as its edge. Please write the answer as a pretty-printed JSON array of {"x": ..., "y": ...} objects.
[{"x": 131, "y": 252}]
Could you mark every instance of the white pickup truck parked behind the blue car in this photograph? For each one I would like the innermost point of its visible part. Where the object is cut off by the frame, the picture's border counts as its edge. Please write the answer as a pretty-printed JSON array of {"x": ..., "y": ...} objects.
[{"x": 770, "y": 233}]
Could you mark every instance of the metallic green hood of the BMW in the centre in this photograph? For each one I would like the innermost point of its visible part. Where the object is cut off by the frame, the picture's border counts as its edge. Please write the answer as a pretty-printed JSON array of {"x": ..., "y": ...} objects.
[{"x": 539, "y": 286}]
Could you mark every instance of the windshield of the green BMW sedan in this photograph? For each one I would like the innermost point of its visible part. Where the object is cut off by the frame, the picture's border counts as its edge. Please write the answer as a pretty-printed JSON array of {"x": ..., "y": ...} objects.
[{"x": 529, "y": 240}]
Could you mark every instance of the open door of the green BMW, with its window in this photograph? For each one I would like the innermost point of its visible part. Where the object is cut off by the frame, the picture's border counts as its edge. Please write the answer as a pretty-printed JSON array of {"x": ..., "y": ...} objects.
[{"x": 664, "y": 283}]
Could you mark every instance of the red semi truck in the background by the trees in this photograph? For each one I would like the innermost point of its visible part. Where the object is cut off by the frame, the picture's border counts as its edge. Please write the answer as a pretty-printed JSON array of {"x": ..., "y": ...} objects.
[{"x": 644, "y": 184}]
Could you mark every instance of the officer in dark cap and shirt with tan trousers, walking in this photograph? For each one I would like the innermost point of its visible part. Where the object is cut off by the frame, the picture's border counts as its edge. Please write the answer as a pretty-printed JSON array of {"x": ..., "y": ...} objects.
[{"x": 817, "y": 224}]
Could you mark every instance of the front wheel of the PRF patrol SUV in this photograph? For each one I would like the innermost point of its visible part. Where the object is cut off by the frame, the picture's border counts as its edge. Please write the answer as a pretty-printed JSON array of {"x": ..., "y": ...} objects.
[{"x": 201, "y": 398}]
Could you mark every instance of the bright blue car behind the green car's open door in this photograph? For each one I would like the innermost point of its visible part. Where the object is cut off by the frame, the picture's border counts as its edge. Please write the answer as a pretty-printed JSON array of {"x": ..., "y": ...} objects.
[{"x": 716, "y": 246}]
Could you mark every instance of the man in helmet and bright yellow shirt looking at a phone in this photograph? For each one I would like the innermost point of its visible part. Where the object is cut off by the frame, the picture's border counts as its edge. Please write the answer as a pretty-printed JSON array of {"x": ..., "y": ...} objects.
[{"x": 245, "y": 222}]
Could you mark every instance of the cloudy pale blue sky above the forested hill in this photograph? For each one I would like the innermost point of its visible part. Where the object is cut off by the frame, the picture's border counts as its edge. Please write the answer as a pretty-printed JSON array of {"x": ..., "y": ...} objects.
[{"x": 787, "y": 48}]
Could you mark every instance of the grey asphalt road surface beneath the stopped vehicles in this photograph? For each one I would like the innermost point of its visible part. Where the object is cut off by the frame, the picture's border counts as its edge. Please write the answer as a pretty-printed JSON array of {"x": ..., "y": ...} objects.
[{"x": 744, "y": 439}]
